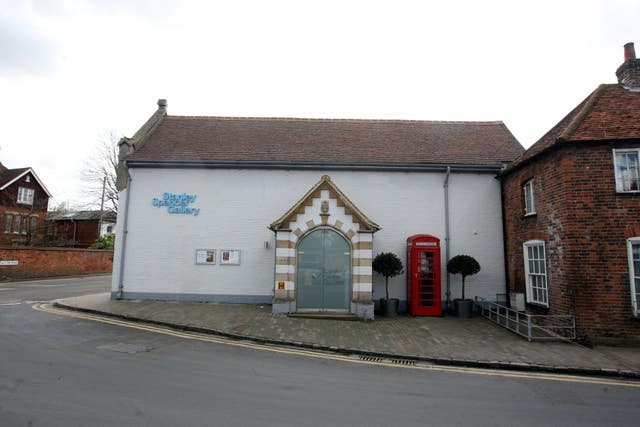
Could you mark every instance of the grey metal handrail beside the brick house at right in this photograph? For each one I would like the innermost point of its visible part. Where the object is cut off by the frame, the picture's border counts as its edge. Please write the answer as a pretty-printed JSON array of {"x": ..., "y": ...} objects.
[{"x": 530, "y": 326}]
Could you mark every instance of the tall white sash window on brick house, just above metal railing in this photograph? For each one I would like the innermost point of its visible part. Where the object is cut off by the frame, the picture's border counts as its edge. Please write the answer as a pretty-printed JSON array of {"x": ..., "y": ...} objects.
[{"x": 535, "y": 271}]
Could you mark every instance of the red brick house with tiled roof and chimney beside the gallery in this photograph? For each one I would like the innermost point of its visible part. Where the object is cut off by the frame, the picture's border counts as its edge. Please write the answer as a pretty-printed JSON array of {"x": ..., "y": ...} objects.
[{"x": 572, "y": 213}]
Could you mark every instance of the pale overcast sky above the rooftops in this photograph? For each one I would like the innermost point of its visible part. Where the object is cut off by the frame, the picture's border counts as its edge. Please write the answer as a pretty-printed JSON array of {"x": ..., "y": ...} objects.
[{"x": 72, "y": 71}]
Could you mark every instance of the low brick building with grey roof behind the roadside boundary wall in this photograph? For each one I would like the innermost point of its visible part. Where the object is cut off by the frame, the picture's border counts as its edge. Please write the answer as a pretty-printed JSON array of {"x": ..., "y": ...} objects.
[{"x": 78, "y": 229}]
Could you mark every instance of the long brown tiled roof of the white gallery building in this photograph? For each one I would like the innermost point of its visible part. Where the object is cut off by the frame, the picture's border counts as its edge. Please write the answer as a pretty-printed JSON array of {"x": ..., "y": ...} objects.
[{"x": 329, "y": 141}]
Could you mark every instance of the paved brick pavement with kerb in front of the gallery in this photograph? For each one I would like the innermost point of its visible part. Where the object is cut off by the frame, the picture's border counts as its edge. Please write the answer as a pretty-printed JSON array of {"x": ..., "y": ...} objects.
[{"x": 447, "y": 340}]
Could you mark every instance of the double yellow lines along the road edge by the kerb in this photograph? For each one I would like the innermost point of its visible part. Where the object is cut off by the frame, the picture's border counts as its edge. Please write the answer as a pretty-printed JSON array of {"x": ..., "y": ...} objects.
[{"x": 342, "y": 358}]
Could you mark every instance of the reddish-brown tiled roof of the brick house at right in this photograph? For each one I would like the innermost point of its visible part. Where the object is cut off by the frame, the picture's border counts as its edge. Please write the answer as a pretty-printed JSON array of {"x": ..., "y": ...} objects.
[{"x": 609, "y": 113}]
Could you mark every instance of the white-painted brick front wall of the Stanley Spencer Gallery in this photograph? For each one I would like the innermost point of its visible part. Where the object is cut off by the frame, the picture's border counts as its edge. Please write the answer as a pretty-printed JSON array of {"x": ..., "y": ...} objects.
[{"x": 236, "y": 206}]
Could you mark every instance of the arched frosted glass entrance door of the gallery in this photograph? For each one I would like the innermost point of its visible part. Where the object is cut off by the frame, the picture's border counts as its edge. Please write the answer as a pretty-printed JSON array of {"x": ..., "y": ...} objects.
[{"x": 324, "y": 264}]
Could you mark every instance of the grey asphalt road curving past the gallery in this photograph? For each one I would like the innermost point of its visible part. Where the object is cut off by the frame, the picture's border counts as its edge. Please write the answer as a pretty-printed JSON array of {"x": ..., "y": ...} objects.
[{"x": 63, "y": 371}]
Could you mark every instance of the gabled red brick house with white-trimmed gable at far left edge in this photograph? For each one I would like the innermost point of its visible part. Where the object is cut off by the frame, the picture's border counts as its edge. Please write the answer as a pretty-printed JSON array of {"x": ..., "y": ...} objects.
[{"x": 23, "y": 204}]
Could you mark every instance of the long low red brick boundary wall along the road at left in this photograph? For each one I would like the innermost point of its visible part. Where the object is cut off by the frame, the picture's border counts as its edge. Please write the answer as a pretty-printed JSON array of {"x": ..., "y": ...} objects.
[{"x": 48, "y": 262}]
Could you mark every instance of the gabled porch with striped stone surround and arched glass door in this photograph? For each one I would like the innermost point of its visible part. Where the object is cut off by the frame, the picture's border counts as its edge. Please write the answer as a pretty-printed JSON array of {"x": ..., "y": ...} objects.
[{"x": 324, "y": 207}]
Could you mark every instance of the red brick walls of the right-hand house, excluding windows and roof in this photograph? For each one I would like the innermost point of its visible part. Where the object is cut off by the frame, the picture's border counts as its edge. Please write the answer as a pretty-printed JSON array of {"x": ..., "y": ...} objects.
[{"x": 584, "y": 224}]
